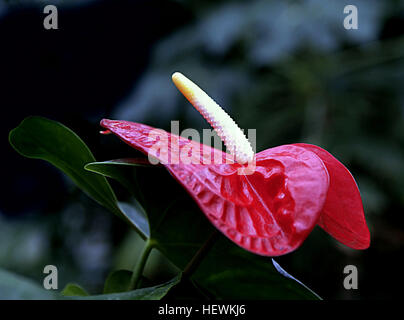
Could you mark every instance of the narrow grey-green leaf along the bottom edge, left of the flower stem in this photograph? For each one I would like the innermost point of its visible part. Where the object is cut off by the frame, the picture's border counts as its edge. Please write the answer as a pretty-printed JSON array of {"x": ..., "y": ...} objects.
[{"x": 150, "y": 293}]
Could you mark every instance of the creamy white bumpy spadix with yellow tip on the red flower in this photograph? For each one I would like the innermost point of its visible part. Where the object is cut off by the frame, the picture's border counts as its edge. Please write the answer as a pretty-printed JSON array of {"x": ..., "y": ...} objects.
[{"x": 232, "y": 136}]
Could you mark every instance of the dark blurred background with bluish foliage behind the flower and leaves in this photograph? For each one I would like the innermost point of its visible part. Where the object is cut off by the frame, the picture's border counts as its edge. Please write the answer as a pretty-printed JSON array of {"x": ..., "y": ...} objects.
[{"x": 288, "y": 69}]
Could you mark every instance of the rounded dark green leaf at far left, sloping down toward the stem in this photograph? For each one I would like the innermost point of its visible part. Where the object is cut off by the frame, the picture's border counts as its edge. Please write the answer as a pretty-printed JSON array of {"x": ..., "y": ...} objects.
[{"x": 41, "y": 138}]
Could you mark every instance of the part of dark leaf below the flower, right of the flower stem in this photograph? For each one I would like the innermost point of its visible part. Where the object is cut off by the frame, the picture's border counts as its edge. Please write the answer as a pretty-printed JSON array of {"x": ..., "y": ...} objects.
[{"x": 230, "y": 272}]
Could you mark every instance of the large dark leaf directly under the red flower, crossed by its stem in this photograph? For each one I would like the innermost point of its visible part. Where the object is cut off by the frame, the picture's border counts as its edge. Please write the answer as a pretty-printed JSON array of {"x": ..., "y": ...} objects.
[{"x": 179, "y": 229}]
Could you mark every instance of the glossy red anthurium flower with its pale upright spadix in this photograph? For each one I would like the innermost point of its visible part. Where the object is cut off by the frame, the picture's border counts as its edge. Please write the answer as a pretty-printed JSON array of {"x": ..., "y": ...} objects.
[{"x": 269, "y": 210}]
